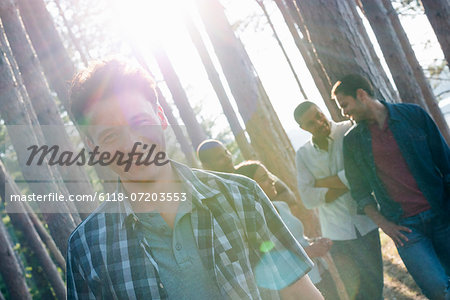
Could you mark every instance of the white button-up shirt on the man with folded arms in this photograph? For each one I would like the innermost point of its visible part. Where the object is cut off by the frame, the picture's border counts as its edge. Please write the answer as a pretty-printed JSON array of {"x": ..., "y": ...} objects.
[{"x": 338, "y": 219}]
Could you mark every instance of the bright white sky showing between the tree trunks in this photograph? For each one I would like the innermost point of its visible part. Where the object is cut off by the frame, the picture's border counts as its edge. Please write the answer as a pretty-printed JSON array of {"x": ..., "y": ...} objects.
[{"x": 147, "y": 23}]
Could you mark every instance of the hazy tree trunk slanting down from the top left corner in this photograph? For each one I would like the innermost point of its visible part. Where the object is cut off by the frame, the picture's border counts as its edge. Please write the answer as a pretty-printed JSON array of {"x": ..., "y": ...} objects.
[{"x": 75, "y": 177}]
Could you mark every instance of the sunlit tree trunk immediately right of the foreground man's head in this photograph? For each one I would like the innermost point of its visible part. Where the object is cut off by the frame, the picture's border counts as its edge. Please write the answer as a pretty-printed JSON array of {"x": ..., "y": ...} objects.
[{"x": 194, "y": 129}]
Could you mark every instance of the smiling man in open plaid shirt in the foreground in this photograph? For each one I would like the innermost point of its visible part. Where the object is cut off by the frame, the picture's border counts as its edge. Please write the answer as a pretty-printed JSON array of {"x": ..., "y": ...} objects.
[{"x": 218, "y": 236}]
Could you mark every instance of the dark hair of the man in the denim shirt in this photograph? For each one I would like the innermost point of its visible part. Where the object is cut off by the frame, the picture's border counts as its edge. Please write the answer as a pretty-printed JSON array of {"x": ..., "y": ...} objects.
[{"x": 348, "y": 85}]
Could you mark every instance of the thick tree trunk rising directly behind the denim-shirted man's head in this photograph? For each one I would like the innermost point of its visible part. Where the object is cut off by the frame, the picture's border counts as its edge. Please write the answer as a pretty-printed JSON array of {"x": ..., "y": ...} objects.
[{"x": 338, "y": 44}]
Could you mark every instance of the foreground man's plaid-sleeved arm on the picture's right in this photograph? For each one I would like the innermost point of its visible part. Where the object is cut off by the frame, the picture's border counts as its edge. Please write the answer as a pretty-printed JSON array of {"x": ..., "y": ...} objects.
[{"x": 285, "y": 260}]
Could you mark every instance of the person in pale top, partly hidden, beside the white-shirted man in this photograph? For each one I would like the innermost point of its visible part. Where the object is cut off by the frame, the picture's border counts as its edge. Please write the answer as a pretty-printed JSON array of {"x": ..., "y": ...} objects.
[{"x": 315, "y": 249}]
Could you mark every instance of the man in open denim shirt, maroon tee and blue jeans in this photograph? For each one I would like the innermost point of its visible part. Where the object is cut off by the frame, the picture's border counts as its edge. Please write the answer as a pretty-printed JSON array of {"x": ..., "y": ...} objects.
[{"x": 397, "y": 153}]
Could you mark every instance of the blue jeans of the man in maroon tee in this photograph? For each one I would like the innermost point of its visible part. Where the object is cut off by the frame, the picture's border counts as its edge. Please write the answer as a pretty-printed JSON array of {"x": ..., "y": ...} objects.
[{"x": 426, "y": 254}]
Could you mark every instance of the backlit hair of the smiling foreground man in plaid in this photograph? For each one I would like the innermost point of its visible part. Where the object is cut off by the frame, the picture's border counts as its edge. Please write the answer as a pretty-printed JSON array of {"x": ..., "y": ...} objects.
[{"x": 104, "y": 79}]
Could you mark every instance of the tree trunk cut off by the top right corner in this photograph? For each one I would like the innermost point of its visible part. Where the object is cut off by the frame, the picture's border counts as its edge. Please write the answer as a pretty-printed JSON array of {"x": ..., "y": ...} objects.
[{"x": 438, "y": 13}]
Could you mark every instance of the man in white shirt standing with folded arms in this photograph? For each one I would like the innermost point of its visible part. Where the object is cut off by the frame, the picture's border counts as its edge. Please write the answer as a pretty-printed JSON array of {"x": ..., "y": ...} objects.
[{"x": 322, "y": 184}]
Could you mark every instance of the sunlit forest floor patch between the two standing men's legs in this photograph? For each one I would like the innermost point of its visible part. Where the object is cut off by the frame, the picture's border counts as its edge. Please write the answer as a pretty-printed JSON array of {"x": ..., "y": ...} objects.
[{"x": 398, "y": 284}]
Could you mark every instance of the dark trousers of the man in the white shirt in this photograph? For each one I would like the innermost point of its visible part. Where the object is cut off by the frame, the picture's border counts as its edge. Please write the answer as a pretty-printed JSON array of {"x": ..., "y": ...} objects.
[{"x": 360, "y": 265}]
